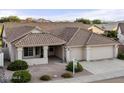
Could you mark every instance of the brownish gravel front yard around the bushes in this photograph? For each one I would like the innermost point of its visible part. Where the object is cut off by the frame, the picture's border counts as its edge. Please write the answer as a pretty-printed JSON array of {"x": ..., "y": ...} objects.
[{"x": 50, "y": 69}]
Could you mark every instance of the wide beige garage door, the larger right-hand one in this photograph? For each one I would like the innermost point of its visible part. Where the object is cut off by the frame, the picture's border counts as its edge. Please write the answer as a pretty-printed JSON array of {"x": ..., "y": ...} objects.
[{"x": 101, "y": 52}]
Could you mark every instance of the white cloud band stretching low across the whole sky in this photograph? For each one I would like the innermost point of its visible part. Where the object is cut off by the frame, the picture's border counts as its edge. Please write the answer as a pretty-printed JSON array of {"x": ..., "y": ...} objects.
[{"x": 105, "y": 14}]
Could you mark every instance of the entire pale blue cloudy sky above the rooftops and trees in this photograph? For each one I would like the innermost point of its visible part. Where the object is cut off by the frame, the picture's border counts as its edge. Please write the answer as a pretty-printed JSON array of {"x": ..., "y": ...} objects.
[{"x": 66, "y": 14}]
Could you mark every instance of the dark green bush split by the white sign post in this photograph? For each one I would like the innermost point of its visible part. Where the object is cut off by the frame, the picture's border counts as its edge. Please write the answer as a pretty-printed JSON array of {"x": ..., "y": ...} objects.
[{"x": 78, "y": 68}]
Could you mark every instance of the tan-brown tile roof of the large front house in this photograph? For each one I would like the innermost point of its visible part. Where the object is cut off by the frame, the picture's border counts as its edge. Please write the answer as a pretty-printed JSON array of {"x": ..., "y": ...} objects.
[{"x": 71, "y": 34}]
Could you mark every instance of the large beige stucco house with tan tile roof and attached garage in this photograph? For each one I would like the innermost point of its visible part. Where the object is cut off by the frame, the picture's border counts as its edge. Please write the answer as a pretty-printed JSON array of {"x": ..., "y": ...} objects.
[{"x": 36, "y": 43}]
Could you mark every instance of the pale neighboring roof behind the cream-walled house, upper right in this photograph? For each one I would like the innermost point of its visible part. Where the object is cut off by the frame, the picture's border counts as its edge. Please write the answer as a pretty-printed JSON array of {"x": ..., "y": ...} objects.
[{"x": 108, "y": 26}]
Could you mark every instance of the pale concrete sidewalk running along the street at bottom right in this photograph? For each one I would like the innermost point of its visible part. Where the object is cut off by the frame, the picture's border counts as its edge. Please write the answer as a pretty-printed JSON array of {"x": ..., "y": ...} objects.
[{"x": 91, "y": 78}]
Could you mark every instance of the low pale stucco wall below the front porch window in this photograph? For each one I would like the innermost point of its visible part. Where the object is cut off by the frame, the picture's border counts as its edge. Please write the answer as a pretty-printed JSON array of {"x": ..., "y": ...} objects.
[{"x": 36, "y": 61}]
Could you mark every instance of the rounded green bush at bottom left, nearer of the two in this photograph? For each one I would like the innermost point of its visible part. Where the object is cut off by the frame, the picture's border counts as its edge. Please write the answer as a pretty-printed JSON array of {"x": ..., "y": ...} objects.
[{"x": 21, "y": 76}]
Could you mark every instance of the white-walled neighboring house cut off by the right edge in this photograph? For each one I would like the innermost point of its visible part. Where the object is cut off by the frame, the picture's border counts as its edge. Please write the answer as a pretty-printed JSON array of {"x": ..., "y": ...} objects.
[{"x": 120, "y": 33}]
